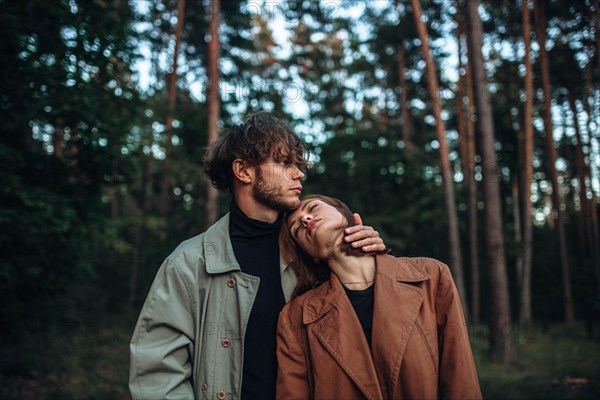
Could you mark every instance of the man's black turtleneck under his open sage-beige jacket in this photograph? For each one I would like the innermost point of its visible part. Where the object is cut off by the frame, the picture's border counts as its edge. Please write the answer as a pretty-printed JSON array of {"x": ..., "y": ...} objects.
[{"x": 256, "y": 249}]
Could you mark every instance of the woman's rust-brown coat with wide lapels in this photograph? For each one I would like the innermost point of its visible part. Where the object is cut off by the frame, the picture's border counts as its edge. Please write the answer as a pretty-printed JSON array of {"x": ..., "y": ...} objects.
[{"x": 420, "y": 345}]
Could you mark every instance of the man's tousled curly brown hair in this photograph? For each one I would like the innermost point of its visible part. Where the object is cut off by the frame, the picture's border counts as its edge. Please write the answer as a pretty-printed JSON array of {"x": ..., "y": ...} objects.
[{"x": 260, "y": 136}]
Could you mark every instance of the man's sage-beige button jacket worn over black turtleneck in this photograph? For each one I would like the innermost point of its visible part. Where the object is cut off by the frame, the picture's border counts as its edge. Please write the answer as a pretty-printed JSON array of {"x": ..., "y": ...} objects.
[{"x": 188, "y": 341}]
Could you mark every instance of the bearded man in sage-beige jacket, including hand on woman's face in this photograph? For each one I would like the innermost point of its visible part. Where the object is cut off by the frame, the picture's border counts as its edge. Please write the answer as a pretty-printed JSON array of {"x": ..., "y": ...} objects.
[{"x": 207, "y": 328}]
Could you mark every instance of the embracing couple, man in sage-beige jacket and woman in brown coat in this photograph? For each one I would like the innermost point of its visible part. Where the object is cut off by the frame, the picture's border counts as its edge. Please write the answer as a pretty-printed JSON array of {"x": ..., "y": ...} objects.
[{"x": 377, "y": 327}]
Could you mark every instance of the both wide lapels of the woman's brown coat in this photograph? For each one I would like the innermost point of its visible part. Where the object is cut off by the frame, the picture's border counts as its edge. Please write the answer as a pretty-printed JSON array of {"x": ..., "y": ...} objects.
[{"x": 331, "y": 318}]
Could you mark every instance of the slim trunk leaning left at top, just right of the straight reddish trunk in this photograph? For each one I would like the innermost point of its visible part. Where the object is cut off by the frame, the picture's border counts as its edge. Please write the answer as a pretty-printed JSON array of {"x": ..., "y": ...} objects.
[{"x": 551, "y": 163}]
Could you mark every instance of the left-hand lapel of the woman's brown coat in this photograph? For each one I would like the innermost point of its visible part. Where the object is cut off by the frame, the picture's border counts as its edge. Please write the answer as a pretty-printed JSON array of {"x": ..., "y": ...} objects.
[{"x": 335, "y": 324}]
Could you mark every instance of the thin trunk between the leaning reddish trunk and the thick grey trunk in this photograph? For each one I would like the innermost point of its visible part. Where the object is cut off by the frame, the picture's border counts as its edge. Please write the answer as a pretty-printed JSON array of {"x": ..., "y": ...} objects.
[{"x": 466, "y": 124}]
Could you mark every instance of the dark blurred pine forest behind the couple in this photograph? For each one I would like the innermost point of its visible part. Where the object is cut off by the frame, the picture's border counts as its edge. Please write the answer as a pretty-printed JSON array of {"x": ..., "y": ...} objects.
[{"x": 461, "y": 131}]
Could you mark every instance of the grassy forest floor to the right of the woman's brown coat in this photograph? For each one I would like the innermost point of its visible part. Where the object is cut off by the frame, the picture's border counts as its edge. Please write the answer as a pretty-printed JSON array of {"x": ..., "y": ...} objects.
[{"x": 548, "y": 363}]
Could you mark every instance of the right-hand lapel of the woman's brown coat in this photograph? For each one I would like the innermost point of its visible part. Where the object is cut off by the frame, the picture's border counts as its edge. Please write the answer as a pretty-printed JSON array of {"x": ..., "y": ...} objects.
[{"x": 397, "y": 304}]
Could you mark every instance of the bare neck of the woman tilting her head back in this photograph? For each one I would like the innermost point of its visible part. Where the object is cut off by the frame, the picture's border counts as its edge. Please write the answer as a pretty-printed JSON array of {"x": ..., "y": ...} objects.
[{"x": 355, "y": 273}]
